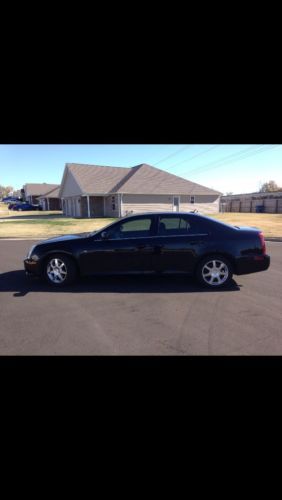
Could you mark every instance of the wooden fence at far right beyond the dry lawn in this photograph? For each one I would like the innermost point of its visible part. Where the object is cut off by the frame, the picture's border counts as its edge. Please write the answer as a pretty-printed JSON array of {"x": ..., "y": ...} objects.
[{"x": 252, "y": 202}]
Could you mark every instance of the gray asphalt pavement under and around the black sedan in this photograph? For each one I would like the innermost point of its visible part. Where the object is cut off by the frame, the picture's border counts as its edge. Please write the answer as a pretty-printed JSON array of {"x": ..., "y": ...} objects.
[{"x": 167, "y": 315}]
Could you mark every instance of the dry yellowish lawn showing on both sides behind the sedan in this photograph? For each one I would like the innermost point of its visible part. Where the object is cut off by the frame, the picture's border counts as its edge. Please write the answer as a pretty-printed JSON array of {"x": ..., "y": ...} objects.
[{"x": 40, "y": 225}]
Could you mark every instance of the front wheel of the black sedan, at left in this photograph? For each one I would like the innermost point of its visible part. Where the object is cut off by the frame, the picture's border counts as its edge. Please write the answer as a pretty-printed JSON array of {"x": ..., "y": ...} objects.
[{"x": 60, "y": 270}]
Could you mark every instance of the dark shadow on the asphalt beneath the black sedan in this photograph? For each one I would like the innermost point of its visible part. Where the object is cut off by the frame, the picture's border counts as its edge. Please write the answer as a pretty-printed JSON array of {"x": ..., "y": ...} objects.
[{"x": 21, "y": 285}]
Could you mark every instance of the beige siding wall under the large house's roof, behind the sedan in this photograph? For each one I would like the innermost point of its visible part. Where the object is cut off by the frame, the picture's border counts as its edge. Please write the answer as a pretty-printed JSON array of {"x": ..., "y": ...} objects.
[{"x": 159, "y": 203}]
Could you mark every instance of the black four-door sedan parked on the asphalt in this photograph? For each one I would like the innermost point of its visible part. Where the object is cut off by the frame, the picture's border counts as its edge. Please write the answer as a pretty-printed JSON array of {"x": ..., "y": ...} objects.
[{"x": 153, "y": 243}]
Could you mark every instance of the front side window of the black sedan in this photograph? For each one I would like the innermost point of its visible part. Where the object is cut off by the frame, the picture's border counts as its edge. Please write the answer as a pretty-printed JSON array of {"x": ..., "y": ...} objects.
[{"x": 137, "y": 228}]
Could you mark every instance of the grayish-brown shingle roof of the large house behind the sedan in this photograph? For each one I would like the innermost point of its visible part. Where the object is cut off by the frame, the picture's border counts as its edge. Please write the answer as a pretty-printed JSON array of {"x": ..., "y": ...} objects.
[{"x": 141, "y": 179}]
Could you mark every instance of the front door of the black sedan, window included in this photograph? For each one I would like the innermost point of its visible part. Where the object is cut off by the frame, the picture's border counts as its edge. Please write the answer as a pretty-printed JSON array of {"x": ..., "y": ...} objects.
[{"x": 126, "y": 247}]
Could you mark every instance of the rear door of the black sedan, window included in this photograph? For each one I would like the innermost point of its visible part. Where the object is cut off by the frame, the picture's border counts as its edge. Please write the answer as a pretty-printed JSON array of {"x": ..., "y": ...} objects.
[{"x": 178, "y": 243}]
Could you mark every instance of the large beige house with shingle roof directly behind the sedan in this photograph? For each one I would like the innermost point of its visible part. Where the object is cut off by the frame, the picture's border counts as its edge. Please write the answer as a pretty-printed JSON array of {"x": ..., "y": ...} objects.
[{"x": 101, "y": 191}]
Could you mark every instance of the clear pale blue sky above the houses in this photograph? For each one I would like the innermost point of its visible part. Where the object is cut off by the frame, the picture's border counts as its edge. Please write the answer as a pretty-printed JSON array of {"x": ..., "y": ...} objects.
[{"x": 227, "y": 168}]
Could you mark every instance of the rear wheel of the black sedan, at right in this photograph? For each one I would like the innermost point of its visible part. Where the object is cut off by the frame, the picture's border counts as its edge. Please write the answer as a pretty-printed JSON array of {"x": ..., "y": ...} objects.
[{"x": 214, "y": 271}]
